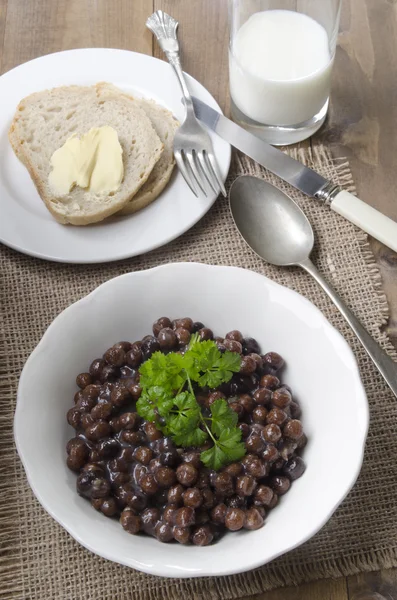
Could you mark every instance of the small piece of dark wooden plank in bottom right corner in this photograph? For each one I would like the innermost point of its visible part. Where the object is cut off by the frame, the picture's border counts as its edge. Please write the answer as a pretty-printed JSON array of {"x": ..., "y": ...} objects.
[{"x": 381, "y": 585}]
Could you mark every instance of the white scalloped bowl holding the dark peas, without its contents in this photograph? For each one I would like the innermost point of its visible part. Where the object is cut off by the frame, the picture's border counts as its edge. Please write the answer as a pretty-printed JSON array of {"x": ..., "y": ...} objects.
[{"x": 321, "y": 370}]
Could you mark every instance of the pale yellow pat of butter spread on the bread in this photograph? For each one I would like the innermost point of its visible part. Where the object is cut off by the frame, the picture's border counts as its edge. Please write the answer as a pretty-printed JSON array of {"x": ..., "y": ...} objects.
[{"x": 94, "y": 162}]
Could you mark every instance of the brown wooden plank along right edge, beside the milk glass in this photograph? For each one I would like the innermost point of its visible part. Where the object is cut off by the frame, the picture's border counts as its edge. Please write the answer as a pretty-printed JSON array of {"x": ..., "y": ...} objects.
[{"x": 363, "y": 116}]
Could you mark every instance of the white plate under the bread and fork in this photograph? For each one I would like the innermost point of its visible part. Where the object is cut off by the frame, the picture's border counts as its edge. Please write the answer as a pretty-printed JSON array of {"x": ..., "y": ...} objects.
[{"x": 25, "y": 223}]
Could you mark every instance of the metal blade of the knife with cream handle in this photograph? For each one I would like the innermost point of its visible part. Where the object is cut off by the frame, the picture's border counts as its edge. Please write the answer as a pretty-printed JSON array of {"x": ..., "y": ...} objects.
[{"x": 298, "y": 175}]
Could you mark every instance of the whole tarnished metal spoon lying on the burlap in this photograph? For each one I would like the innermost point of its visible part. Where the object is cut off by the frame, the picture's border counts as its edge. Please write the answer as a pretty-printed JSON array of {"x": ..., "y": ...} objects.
[{"x": 278, "y": 231}]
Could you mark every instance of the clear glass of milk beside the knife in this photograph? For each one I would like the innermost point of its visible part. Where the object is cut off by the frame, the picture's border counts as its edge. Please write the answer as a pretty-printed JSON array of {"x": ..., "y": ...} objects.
[{"x": 281, "y": 54}]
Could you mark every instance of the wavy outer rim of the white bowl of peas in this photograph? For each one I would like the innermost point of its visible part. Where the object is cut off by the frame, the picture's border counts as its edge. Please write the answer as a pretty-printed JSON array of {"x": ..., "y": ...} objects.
[{"x": 163, "y": 570}]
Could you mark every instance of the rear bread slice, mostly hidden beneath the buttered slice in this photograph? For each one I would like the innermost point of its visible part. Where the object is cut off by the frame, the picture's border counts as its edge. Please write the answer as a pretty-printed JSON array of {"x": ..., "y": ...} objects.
[{"x": 165, "y": 125}]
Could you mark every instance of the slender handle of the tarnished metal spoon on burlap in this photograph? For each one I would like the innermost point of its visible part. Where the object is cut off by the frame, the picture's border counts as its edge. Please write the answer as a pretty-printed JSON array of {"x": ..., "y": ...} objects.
[{"x": 387, "y": 367}]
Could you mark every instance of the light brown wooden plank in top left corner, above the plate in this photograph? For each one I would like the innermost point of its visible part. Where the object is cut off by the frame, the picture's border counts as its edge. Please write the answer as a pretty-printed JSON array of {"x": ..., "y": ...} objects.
[{"x": 38, "y": 27}]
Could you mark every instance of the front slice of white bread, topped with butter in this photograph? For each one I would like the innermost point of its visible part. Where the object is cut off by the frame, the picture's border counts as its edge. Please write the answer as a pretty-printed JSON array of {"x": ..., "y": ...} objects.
[{"x": 45, "y": 120}]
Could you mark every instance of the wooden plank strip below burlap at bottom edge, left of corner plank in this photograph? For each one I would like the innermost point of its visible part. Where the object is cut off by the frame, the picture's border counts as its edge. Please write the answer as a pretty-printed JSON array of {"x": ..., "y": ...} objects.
[{"x": 326, "y": 589}]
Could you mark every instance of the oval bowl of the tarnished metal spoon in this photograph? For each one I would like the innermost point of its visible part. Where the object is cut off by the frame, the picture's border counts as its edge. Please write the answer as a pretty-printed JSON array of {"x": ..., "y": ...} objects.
[{"x": 271, "y": 223}]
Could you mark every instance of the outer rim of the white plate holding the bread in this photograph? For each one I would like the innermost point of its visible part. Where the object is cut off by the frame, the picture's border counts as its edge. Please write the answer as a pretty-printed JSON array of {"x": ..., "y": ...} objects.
[{"x": 126, "y": 254}]
